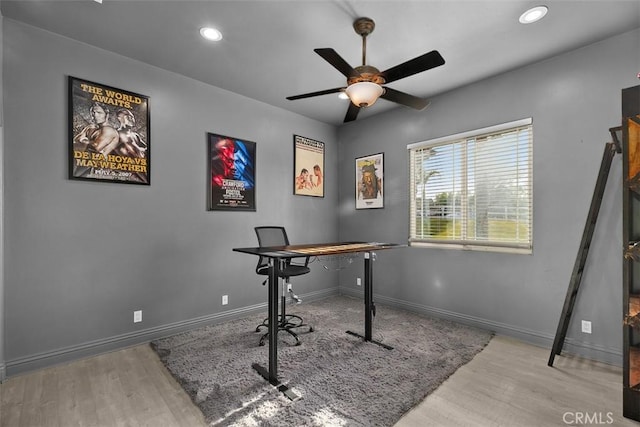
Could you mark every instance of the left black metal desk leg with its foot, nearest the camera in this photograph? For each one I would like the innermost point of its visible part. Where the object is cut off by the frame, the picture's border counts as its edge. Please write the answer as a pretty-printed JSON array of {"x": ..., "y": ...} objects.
[{"x": 271, "y": 375}]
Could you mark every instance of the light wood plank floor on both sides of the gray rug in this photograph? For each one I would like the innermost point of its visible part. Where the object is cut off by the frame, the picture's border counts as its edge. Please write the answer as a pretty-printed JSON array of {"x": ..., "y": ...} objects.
[{"x": 507, "y": 384}]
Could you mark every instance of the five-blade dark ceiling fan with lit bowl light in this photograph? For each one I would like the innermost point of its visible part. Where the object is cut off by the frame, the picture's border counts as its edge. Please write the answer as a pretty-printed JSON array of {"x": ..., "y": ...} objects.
[{"x": 365, "y": 83}]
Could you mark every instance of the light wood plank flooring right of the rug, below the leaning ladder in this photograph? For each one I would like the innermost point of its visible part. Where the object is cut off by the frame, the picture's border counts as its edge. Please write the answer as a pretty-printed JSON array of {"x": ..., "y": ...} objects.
[{"x": 510, "y": 384}]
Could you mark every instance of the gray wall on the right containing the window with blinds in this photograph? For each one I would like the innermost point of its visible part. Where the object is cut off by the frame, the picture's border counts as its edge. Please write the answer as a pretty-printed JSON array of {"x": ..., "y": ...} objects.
[{"x": 573, "y": 99}]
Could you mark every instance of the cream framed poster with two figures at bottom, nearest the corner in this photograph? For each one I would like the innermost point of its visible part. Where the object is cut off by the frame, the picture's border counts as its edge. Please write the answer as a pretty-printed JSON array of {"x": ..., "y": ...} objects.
[{"x": 308, "y": 160}]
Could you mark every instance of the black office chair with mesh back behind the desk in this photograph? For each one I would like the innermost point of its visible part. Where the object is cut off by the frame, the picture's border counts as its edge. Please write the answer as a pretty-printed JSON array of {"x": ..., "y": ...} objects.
[{"x": 277, "y": 236}]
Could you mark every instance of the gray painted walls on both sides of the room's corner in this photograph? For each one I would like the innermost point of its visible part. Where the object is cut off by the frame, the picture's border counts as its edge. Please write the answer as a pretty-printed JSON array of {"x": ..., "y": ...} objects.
[{"x": 80, "y": 257}]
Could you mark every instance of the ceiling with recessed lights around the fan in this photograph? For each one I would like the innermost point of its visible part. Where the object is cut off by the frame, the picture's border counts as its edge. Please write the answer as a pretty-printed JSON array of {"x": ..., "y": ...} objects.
[{"x": 267, "y": 50}]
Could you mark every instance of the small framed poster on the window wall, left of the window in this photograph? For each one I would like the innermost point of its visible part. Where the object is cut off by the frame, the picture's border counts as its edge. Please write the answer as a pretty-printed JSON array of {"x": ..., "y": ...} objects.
[{"x": 370, "y": 181}]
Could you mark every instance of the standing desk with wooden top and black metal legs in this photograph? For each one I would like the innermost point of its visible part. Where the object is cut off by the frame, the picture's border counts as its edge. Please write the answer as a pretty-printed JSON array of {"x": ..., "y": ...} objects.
[{"x": 278, "y": 253}]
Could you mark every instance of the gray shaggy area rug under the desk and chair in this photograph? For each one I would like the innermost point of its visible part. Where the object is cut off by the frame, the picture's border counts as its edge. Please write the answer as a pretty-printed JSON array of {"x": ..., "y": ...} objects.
[{"x": 343, "y": 380}]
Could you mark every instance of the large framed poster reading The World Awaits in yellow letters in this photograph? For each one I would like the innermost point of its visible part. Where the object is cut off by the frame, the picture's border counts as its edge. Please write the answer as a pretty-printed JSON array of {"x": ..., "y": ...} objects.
[{"x": 108, "y": 134}]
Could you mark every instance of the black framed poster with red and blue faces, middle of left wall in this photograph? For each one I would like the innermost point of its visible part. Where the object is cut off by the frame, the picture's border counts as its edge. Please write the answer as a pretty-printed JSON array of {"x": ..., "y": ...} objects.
[{"x": 232, "y": 174}]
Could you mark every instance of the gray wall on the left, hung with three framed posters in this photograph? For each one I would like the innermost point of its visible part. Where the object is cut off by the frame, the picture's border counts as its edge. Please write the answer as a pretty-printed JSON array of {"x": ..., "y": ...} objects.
[{"x": 82, "y": 256}]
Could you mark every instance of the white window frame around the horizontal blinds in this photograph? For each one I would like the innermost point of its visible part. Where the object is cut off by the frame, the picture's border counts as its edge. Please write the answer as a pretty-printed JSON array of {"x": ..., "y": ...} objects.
[{"x": 470, "y": 244}]
